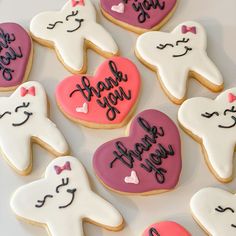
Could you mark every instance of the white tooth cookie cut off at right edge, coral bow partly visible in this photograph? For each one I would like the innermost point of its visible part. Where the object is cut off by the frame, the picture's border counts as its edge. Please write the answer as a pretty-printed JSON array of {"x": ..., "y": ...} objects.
[{"x": 214, "y": 122}]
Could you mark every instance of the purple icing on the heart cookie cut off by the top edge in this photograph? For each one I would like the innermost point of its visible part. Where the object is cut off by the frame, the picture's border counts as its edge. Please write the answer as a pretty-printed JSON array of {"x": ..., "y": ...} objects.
[{"x": 144, "y": 14}]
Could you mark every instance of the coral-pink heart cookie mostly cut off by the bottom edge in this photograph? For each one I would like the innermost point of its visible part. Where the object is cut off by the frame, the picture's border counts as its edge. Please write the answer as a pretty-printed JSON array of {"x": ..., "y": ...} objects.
[{"x": 166, "y": 228}]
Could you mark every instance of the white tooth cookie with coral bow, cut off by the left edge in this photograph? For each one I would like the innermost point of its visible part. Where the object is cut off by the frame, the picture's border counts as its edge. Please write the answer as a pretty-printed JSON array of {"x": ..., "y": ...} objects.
[{"x": 23, "y": 121}]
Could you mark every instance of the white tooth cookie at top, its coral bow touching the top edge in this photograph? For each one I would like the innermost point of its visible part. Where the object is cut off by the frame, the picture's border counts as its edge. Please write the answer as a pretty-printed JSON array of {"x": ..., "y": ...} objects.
[{"x": 71, "y": 31}]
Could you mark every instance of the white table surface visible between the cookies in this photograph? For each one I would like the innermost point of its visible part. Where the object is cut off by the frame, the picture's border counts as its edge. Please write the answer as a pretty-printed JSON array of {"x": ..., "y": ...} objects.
[{"x": 219, "y": 19}]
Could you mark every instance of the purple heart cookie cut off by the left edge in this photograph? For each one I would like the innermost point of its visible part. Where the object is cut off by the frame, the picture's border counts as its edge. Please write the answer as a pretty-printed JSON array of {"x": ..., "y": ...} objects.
[{"x": 15, "y": 55}]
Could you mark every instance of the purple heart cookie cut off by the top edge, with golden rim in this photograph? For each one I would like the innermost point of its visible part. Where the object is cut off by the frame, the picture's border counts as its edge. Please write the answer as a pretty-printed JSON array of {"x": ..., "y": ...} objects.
[{"x": 138, "y": 15}]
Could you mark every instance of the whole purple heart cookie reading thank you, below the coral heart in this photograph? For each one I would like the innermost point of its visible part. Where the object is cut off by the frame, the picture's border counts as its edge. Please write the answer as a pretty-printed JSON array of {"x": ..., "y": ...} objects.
[{"x": 148, "y": 161}]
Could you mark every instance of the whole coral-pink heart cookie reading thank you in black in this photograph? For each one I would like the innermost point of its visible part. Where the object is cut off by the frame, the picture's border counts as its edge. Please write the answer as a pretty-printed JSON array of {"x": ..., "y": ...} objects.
[{"x": 106, "y": 100}]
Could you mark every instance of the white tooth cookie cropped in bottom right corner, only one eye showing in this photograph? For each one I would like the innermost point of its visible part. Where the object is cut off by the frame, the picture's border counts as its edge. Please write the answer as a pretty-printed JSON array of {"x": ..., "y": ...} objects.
[{"x": 214, "y": 210}]
